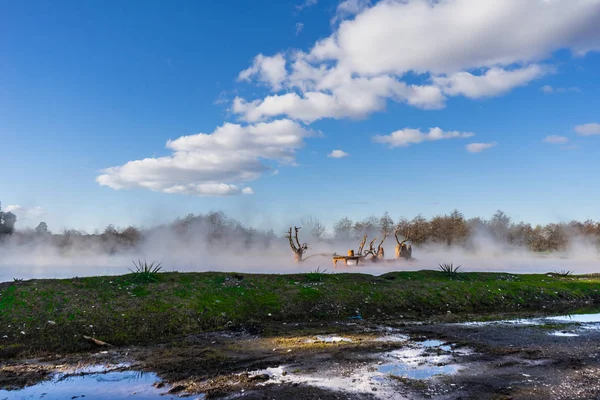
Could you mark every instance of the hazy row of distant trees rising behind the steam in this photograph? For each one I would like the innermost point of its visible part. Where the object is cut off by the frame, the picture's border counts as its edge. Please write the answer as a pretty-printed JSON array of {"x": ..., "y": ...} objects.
[{"x": 220, "y": 231}]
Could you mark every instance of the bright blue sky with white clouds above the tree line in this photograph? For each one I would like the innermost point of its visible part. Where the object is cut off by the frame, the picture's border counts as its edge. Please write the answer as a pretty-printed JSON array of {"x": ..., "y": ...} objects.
[{"x": 86, "y": 86}]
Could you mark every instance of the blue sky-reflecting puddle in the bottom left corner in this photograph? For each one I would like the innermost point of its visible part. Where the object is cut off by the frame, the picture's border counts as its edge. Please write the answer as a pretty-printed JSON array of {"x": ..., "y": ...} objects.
[{"x": 94, "y": 386}]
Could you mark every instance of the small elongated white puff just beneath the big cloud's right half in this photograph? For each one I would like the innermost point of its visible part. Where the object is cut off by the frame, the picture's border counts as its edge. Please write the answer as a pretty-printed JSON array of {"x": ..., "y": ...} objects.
[{"x": 493, "y": 82}]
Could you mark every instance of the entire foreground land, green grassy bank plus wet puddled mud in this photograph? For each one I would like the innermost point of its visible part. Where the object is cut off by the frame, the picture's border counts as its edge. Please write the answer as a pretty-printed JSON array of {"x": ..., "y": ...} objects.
[{"x": 344, "y": 336}]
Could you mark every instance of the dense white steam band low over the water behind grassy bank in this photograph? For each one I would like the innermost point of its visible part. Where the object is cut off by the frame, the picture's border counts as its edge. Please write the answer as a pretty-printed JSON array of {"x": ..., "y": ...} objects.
[{"x": 47, "y": 262}]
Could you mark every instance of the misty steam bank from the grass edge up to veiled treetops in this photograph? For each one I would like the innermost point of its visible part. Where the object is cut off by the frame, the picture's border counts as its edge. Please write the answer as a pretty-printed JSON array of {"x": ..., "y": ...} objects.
[{"x": 214, "y": 242}]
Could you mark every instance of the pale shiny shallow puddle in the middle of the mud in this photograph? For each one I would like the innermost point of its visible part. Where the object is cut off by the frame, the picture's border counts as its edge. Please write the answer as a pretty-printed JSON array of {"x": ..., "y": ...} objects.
[{"x": 417, "y": 360}]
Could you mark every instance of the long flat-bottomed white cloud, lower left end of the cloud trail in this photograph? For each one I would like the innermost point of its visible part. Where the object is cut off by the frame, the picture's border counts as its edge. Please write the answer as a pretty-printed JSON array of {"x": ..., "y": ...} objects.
[{"x": 212, "y": 164}]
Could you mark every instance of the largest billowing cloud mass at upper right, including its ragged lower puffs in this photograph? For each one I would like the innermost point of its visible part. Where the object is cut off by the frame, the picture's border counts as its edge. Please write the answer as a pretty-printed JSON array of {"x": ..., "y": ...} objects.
[{"x": 469, "y": 48}]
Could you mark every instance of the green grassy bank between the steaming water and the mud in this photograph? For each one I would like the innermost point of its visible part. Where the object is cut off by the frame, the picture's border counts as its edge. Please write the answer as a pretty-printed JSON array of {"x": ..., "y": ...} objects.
[{"x": 54, "y": 315}]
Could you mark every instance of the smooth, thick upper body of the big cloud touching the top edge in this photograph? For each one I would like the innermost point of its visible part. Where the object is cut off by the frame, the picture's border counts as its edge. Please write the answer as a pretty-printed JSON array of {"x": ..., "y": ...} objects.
[{"x": 449, "y": 36}]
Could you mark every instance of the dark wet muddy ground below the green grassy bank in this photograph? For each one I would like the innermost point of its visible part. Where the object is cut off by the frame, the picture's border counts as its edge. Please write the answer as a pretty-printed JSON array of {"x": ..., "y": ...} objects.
[{"x": 353, "y": 360}]
